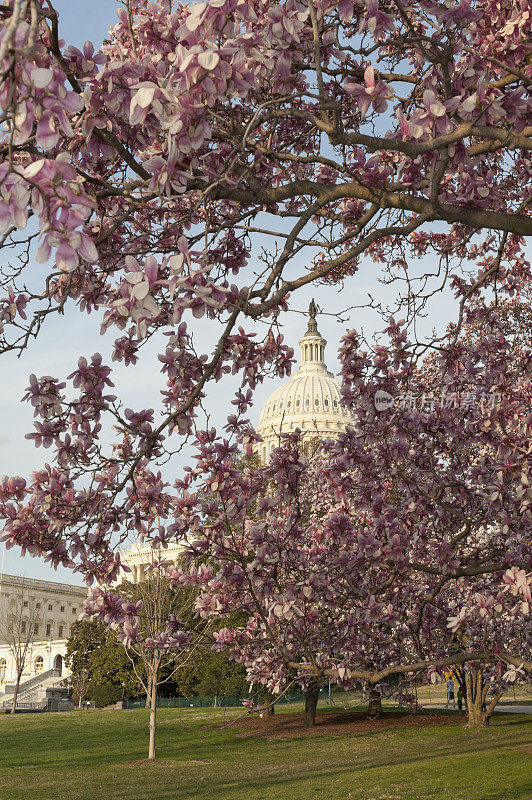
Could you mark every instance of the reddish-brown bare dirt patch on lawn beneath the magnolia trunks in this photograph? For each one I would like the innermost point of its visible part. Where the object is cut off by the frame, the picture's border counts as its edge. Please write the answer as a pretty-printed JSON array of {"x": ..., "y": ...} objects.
[{"x": 290, "y": 726}]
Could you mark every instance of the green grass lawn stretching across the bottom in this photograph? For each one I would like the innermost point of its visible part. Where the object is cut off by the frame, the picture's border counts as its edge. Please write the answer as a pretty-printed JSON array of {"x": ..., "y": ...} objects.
[{"x": 100, "y": 756}]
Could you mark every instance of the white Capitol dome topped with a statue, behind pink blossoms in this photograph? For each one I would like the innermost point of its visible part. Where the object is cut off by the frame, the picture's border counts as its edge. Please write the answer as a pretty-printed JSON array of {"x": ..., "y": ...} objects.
[{"x": 310, "y": 400}]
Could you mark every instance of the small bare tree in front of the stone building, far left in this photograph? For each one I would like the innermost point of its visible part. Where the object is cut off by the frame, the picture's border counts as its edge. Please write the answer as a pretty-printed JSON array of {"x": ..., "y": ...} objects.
[{"x": 19, "y": 625}]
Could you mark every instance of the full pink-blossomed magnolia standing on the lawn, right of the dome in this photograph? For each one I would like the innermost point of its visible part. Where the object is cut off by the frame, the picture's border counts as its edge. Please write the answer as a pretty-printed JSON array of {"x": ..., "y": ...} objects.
[{"x": 404, "y": 548}]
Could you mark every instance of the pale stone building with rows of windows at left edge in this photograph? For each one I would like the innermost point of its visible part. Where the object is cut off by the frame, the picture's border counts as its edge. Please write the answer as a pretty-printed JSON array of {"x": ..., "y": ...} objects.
[{"x": 52, "y": 608}]
